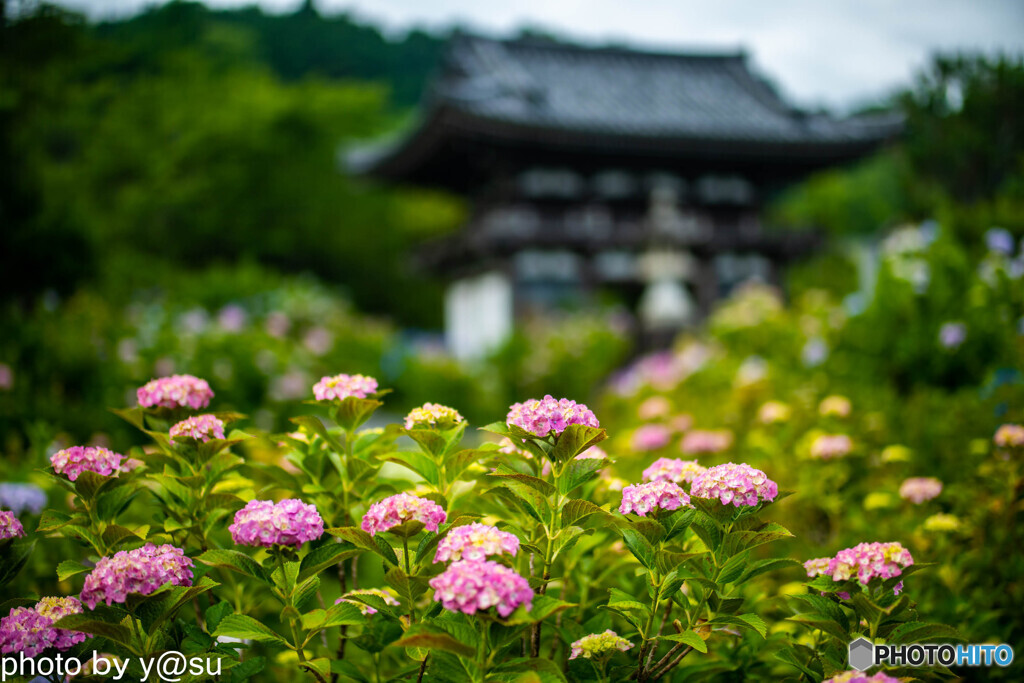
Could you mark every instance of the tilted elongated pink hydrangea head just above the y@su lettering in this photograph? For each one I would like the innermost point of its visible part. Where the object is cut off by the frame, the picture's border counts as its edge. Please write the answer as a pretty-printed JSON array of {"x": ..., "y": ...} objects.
[{"x": 142, "y": 571}]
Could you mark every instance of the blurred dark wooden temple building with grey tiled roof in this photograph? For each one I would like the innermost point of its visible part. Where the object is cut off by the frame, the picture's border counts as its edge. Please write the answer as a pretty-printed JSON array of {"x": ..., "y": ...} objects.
[{"x": 598, "y": 174}]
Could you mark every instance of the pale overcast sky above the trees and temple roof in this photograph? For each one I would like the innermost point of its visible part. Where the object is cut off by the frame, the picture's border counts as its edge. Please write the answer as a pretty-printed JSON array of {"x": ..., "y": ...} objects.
[{"x": 833, "y": 53}]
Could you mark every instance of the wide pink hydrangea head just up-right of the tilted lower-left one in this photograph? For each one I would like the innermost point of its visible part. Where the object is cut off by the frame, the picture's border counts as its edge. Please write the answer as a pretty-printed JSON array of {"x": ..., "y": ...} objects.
[{"x": 266, "y": 524}]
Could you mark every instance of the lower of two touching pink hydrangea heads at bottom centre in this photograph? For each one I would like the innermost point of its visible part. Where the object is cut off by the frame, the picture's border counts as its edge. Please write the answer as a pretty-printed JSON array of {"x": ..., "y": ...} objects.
[{"x": 472, "y": 586}]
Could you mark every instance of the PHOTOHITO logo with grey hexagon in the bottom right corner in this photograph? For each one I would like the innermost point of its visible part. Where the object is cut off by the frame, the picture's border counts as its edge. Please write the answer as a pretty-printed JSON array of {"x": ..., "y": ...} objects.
[{"x": 865, "y": 655}]
